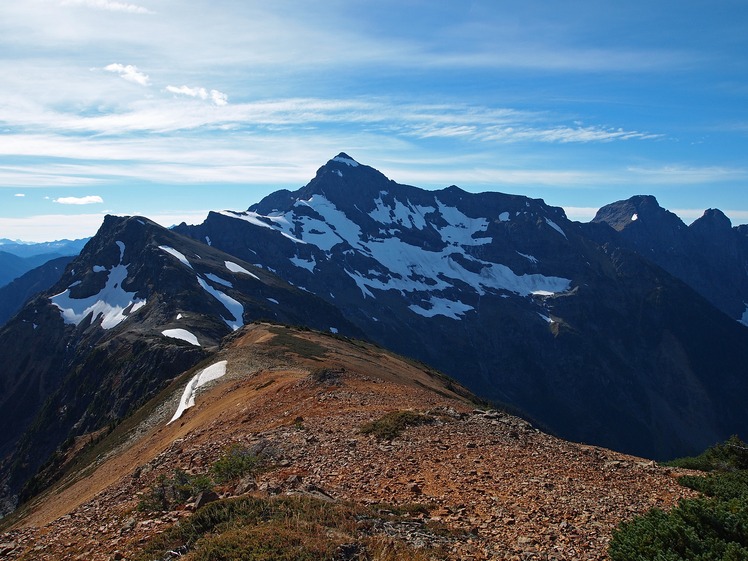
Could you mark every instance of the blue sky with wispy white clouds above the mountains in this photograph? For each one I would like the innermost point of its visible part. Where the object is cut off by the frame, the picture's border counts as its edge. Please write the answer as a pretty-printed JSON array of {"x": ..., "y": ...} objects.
[{"x": 171, "y": 108}]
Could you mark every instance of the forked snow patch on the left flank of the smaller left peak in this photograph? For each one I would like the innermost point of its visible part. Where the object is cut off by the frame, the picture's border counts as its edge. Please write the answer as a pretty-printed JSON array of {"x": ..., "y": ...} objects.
[{"x": 112, "y": 303}]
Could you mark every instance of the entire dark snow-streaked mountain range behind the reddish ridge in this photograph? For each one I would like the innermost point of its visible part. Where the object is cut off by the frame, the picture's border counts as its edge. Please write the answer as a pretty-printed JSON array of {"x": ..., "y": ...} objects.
[{"x": 625, "y": 332}]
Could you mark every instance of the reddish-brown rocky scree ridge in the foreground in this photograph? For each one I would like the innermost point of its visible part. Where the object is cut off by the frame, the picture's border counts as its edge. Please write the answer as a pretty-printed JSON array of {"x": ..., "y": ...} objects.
[{"x": 490, "y": 486}]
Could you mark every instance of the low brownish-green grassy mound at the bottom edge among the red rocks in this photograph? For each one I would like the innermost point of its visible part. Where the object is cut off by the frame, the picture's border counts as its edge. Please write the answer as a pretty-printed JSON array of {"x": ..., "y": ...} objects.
[{"x": 284, "y": 529}]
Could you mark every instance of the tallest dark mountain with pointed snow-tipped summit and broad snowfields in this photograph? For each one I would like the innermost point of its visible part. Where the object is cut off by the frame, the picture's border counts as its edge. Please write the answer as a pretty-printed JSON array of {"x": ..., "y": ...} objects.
[{"x": 569, "y": 323}]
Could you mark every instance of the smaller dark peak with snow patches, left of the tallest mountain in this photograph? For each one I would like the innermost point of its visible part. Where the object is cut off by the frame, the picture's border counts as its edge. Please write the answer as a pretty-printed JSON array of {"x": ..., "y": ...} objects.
[{"x": 139, "y": 306}]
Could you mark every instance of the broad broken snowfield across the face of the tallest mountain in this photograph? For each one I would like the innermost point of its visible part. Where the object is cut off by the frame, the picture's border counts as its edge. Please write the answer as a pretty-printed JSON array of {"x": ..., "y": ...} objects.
[{"x": 389, "y": 263}]
